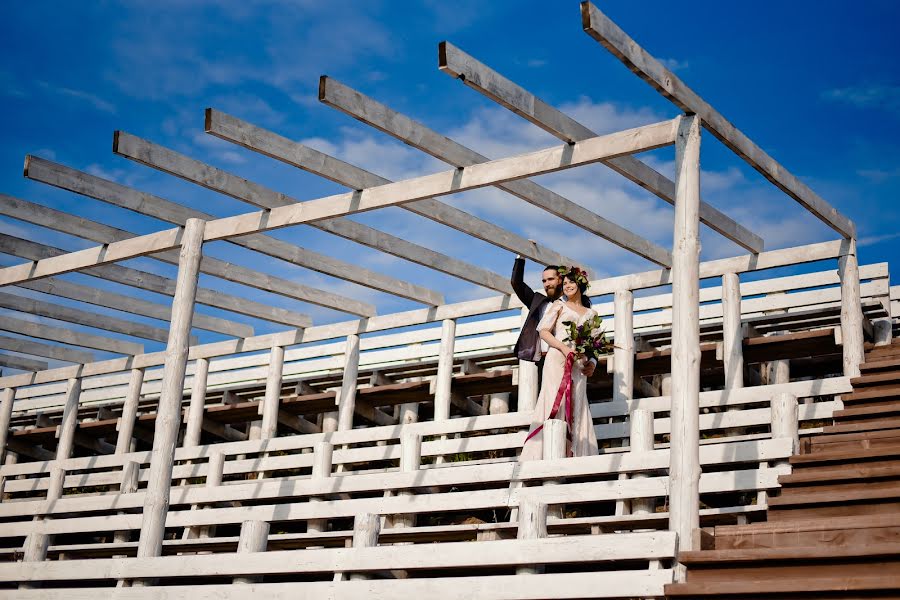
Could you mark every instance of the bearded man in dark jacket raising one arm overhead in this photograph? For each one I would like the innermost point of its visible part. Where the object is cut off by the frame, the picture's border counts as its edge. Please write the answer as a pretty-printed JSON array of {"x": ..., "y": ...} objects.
[{"x": 530, "y": 346}]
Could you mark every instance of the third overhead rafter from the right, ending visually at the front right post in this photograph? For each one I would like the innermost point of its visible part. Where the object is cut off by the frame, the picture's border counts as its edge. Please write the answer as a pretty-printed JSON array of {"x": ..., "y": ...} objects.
[{"x": 379, "y": 116}]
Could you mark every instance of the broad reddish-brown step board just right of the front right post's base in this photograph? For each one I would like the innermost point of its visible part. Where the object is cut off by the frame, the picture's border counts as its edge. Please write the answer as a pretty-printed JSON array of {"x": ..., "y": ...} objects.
[{"x": 868, "y": 529}]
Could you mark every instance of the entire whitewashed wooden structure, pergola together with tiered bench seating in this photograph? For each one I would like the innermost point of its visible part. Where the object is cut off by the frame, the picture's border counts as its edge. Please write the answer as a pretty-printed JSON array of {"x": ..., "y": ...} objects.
[{"x": 334, "y": 448}]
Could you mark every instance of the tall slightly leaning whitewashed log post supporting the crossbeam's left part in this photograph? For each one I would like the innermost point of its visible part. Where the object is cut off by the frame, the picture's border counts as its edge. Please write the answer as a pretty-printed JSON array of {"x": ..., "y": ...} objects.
[{"x": 156, "y": 502}]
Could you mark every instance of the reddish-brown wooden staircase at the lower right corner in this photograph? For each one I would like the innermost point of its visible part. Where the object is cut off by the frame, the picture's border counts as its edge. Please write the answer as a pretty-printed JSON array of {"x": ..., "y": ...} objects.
[{"x": 834, "y": 532}]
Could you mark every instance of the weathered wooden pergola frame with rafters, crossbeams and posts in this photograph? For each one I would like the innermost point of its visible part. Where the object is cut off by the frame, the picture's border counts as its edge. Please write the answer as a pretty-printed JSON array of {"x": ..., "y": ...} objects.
[{"x": 182, "y": 245}]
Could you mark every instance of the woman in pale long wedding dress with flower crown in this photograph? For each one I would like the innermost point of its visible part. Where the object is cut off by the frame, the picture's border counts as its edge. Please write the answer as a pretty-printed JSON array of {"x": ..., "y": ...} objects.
[{"x": 573, "y": 306}]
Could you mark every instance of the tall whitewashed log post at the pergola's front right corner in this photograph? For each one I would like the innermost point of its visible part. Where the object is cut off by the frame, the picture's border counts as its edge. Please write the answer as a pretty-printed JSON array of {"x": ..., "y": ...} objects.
[{"x": 684, "y": 461}]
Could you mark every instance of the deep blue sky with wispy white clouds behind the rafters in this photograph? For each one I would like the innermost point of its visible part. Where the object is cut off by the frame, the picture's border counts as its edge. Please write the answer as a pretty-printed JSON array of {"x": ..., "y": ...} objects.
[{"x": 816, "y": 84}]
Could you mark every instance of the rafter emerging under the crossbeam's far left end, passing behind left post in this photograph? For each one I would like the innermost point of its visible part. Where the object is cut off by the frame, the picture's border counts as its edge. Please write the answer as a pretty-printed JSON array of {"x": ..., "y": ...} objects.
[{"x": 130, "y": 304}]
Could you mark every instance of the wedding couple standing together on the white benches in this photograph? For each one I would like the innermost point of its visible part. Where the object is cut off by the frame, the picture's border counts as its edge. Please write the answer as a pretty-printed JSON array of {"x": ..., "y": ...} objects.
[{"x": 546, "y": 340}]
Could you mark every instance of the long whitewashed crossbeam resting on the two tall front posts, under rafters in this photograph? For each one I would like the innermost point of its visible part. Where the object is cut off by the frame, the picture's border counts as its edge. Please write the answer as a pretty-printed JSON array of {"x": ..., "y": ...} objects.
[{"x": 549, "y": 160}]
